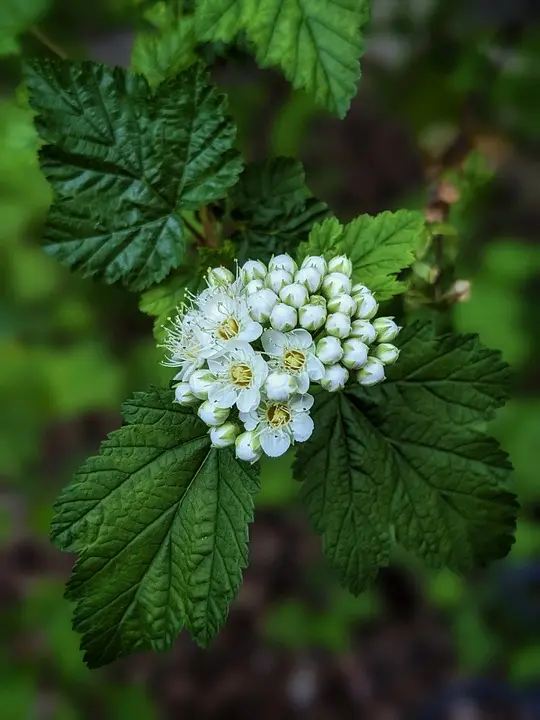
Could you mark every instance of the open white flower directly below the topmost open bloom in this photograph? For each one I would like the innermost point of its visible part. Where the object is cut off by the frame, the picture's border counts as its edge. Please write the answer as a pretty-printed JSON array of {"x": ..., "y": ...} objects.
[{"x": 238, "y": 376}]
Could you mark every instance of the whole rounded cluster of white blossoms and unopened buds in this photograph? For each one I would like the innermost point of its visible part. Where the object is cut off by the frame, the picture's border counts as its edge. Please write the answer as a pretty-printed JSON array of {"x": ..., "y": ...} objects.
[{"x": 251, "y": 345}]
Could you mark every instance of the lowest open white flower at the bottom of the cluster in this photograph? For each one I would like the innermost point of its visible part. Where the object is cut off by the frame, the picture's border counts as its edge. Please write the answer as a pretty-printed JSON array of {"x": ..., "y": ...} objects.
[{"x": 277, "y": 424}]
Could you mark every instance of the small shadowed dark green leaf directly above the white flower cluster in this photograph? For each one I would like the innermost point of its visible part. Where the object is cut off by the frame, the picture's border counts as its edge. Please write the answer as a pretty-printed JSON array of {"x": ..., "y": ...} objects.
[{"x": 273, "y": 208}]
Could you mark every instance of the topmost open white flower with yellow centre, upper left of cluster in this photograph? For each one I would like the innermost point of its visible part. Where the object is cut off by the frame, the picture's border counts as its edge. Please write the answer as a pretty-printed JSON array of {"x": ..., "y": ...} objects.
[{"x": 223, "y": 321}]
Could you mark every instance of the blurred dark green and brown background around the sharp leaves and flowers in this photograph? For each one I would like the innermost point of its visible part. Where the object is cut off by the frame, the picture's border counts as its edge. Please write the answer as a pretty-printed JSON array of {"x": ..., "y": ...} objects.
[{"x": 447, "y": 118}]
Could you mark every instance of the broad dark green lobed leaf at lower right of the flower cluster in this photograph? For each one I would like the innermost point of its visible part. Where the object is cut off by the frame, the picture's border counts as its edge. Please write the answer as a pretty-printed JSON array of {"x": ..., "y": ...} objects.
[{"x": 382, "y": 468}]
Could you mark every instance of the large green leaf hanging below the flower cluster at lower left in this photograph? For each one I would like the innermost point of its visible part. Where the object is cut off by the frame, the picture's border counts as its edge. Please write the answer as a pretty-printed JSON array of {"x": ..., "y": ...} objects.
[{"x": 160, "y": 522}]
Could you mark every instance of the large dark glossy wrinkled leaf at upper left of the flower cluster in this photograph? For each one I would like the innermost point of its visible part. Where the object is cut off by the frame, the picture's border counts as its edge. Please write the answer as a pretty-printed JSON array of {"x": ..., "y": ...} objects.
[{"x": 124, "y": 163}]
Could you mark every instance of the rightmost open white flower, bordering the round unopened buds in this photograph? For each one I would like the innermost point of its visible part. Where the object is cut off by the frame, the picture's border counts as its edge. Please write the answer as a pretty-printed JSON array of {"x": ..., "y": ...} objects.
[{"x": 293, "y": 353}]
